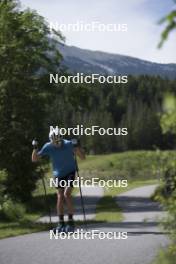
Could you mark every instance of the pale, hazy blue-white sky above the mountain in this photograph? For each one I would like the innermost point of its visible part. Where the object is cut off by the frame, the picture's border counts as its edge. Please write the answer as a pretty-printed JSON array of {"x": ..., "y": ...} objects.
[{"x": 141, "y": 16}]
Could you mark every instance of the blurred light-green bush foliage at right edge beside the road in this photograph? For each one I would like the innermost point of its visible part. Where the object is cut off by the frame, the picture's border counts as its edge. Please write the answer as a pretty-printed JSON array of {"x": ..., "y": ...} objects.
[{"x": 167, "y": 193}]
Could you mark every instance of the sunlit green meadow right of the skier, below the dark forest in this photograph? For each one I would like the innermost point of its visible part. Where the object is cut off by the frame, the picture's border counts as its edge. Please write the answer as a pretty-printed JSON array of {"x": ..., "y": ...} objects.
[{"x": 131, "y": 165}]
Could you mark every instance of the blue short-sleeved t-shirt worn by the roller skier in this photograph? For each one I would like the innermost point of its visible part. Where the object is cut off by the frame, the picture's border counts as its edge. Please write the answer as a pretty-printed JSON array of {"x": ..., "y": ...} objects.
[{"x": 62, "y": 157}]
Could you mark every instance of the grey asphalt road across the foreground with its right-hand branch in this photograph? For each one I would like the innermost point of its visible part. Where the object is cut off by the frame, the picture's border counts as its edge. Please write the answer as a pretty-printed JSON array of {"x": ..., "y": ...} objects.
[{"x": 141, "y": 246}]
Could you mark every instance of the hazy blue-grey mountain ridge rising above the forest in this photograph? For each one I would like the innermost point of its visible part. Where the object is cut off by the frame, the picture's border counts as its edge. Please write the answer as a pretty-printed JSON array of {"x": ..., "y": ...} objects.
[{"x": 87, "y": 61}]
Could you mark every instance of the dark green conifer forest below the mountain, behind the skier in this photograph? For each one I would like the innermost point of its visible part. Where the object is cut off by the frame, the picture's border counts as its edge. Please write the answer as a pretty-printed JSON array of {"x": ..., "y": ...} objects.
[{"x": 137, "y": 105}]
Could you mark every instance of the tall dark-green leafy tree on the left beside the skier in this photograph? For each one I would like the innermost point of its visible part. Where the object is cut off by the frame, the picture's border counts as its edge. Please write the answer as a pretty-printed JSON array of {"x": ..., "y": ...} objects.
[{"x": 24, "y": 53}]
